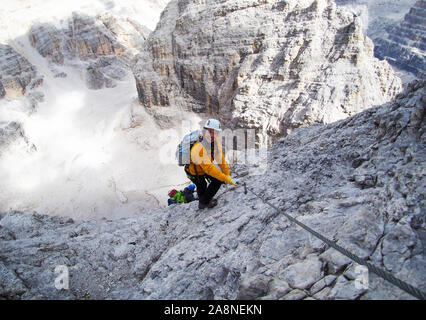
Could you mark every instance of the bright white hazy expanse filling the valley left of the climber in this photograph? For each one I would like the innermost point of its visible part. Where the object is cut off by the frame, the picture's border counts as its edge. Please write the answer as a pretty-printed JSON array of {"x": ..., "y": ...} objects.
[{"x": 89, "y": 153}]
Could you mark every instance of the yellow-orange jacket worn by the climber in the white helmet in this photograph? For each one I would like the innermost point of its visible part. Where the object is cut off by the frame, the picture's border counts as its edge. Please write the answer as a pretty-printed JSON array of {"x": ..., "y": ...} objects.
[{"x": 202, "y": 161}]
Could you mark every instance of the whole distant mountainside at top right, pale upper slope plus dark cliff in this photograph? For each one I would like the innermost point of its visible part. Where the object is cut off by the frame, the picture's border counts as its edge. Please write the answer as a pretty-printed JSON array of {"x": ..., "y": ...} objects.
[{"x": 398, "y": 31}]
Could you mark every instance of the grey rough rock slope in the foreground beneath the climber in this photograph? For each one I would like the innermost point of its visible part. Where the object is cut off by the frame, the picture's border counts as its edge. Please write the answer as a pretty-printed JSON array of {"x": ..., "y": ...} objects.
[{"x": 359, "y": 181}]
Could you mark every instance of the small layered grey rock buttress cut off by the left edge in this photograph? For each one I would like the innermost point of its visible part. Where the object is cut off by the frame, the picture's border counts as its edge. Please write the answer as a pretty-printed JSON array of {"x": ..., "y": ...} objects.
[{"x": 18, "y": 76}]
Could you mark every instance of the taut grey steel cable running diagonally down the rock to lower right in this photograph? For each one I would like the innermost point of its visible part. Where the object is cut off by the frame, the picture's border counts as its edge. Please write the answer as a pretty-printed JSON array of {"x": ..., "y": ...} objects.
[{"x": 381, "y": 273}]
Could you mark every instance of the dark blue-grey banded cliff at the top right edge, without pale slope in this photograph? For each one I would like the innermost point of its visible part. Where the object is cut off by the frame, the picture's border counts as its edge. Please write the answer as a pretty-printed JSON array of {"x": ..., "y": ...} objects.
[{"x": 404, "y": 45}]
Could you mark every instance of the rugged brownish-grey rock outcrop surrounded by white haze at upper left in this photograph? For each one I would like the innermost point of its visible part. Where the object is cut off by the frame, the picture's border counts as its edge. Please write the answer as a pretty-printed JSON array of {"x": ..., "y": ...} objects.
[{"x": 104, "y": 44}]
